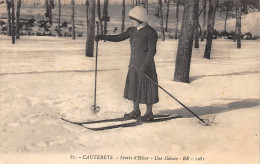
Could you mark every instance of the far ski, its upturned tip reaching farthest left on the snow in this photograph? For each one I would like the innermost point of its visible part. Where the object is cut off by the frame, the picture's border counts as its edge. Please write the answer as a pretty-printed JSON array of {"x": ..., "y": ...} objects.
[{"x": 107, "y": 120}]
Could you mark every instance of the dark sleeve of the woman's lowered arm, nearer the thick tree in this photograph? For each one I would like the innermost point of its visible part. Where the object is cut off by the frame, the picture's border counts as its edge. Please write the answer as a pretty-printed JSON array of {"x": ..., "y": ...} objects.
[{"x": 152, "y": 41}]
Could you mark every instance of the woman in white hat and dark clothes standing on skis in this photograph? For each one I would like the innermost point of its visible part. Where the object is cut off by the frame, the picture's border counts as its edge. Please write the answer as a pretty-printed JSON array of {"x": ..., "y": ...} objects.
[{"x": 143, "y": 40}]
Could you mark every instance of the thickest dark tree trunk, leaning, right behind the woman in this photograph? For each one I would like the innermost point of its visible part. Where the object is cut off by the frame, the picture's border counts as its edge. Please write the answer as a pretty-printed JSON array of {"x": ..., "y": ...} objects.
[{"x": 184, "y": 52}]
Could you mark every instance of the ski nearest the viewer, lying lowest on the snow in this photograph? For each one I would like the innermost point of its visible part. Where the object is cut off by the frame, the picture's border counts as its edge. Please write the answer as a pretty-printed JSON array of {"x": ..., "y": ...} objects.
[{"x": 131, "y": 124}]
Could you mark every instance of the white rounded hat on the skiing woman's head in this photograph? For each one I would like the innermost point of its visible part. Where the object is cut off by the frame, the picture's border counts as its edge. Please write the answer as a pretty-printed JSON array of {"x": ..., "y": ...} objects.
[{"x": 139, "y": 13}]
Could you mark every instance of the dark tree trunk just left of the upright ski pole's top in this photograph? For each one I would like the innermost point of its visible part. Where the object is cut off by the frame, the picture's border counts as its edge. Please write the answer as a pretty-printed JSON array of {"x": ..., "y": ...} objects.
[{"x": 91, "y": 29}]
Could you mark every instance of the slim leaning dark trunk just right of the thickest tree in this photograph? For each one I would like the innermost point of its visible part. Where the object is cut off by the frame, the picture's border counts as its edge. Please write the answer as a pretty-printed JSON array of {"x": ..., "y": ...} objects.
[{"x": 211, "y": 21}]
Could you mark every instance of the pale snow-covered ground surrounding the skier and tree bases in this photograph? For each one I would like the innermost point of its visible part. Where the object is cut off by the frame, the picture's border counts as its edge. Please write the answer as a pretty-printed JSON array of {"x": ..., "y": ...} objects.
[{"x": 46, "y": 78}]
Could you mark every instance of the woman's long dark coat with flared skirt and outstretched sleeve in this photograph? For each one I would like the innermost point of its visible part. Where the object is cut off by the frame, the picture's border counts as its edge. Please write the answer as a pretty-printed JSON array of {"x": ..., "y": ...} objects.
[{"x": 143, "y": 48}]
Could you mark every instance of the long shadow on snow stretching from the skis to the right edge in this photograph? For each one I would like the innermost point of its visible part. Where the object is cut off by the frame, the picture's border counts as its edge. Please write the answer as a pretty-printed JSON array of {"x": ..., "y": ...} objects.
[{"x": 213, "y": 109}]
